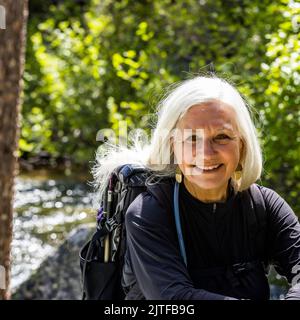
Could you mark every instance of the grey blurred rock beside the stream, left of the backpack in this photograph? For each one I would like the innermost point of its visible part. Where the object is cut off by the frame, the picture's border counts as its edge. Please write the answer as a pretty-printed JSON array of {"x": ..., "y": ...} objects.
[{"x": 59, "y": 276}]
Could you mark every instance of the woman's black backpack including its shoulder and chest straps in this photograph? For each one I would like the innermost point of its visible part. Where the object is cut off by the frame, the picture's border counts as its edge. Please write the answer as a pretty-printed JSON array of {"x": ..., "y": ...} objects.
[{"x": 102, "y": 258}]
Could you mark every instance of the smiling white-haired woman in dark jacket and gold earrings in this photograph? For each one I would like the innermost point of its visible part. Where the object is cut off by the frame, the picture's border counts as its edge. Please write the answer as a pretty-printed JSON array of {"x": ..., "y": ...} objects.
[{"x": 232, "y": 229}]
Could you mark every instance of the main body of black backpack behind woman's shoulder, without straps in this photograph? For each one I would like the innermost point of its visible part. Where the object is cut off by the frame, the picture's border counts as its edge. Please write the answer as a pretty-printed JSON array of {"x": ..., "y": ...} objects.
[{"x": 101, "y": 258}]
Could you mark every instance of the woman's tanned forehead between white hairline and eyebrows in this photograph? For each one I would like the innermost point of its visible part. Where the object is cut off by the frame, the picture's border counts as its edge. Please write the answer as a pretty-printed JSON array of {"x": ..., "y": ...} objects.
[{"x": 214, "y": 115}]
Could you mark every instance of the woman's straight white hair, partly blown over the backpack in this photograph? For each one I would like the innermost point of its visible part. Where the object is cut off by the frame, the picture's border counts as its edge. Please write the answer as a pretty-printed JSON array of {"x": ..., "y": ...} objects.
[{"x": 158, "y": 155}]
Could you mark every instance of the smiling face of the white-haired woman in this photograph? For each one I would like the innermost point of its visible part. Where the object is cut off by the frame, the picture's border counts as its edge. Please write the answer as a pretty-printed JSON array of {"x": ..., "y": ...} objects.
[{"x": 217, "y": 150}]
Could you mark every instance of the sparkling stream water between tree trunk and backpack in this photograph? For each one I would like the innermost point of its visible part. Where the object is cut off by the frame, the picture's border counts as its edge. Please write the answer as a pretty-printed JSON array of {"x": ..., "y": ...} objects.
[{"x": 47, "y": 207}]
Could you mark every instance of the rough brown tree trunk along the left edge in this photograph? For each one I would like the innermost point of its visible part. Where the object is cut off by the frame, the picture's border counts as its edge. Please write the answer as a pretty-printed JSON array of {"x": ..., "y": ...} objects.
[{"x": 12, "y": 43}]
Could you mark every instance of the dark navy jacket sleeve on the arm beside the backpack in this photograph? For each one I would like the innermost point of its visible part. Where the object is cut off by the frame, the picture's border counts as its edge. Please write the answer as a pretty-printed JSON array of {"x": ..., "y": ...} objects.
[{"x": 154, "y": 254}]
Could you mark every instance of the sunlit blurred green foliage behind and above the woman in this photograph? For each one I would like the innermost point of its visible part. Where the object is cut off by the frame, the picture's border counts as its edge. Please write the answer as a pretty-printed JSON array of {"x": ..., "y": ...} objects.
[{"x": 89, "y": 69}]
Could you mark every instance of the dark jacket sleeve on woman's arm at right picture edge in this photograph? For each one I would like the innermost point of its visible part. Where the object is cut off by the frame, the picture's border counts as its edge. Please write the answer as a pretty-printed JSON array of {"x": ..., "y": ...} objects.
[{"x": 284, "y": 241}]
